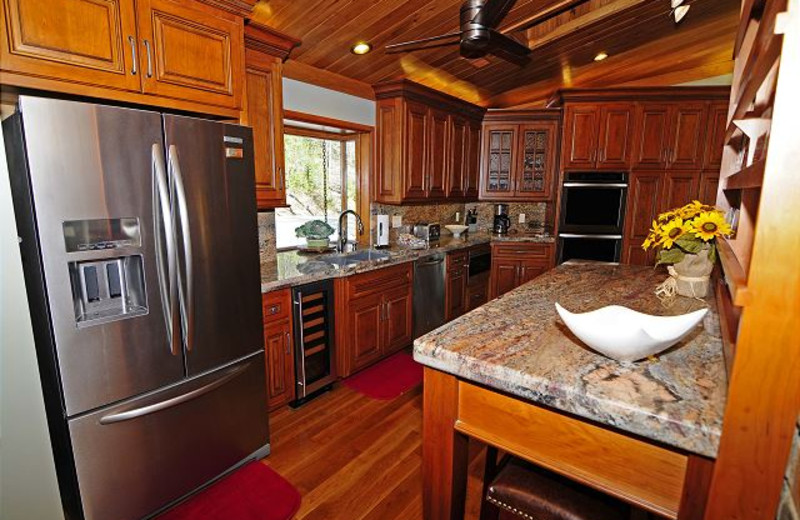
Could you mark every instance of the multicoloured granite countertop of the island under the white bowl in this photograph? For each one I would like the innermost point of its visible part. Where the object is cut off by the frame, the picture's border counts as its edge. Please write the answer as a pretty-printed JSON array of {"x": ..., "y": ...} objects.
[{"x": 519, "y": 345}]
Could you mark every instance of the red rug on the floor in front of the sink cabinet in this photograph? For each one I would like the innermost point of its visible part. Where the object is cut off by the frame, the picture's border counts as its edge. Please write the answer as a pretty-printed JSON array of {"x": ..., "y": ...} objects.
[{"x": 388, "y": 379}]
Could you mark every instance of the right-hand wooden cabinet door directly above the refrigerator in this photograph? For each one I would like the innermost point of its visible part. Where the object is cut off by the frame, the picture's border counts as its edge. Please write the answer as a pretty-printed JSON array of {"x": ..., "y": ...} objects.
[{"x": 191, "y": 53}]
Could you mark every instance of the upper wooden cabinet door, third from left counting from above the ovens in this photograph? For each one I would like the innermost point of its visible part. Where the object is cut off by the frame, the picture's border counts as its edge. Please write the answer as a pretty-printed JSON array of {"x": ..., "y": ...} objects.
[{"x": 652, "y": 136}]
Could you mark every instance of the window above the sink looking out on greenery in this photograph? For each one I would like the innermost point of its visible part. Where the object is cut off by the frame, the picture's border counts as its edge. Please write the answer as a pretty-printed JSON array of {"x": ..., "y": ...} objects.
[{"x": 321, "y": 182}]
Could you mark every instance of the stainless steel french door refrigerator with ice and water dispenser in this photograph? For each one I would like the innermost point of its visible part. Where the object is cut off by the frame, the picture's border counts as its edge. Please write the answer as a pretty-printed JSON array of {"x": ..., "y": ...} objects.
[{"x": 140, "y": 250}]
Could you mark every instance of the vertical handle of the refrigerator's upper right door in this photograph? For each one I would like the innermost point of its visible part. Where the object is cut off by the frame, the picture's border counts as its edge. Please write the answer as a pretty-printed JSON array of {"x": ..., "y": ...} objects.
[{"x": 185, "y": 290}]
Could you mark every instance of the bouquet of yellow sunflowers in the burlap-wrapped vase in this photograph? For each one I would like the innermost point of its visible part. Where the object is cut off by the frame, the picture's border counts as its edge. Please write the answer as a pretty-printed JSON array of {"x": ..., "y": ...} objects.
[{"x": 687, "y": 230}]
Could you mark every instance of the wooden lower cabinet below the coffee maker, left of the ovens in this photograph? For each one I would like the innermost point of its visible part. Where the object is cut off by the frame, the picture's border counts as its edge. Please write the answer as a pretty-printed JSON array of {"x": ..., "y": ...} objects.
[{"x": 516, "y": 263}]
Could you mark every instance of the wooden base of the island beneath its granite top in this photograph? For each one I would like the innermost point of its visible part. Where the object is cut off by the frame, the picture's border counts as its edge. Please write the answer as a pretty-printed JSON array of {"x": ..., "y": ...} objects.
[{"x": 656, "y": 478}]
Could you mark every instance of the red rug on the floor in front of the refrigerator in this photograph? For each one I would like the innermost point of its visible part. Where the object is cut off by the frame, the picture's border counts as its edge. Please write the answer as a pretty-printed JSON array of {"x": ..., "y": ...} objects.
[{"x": 252, "y": 492}]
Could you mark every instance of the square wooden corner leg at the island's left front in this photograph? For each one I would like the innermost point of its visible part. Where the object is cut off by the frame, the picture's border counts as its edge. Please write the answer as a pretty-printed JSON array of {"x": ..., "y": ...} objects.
[{"x": 444, "y": 450}]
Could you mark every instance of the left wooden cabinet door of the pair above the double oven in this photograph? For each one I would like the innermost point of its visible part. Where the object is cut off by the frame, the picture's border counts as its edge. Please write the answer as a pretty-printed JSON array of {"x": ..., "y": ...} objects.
[{"x": 579, "y": 144}]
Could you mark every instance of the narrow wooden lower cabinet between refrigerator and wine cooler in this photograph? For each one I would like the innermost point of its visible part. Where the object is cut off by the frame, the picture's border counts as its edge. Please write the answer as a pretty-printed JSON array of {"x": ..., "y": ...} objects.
[{"x": 278, "y": 346}]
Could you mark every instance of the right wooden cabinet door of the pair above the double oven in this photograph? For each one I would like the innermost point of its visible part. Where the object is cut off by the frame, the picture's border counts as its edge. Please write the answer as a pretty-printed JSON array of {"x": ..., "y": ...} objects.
[{"x": 616, "y": 136}]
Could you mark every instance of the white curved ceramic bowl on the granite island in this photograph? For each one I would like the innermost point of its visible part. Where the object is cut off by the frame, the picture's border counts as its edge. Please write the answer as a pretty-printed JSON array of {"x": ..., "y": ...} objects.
[{"x": 626, "y": 335}]
